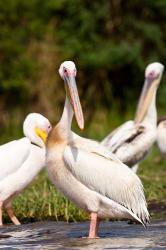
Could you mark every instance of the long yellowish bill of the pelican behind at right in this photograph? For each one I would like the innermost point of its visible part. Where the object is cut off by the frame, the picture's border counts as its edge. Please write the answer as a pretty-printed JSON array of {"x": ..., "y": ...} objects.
[{"x": 150, "y": 86}]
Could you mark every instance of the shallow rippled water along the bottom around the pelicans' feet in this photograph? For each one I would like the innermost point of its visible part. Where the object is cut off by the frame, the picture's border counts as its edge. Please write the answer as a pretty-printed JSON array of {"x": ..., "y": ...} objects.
[{"x": 61, "y": 235}]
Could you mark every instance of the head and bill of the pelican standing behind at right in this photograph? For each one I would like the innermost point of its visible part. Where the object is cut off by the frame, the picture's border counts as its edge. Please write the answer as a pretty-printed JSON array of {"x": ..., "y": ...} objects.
[{"x": 153, "y": 74}]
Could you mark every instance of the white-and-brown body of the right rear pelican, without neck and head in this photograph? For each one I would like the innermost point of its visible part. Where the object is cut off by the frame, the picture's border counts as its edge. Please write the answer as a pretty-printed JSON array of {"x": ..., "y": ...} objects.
[{"x": 131, "y": 142}]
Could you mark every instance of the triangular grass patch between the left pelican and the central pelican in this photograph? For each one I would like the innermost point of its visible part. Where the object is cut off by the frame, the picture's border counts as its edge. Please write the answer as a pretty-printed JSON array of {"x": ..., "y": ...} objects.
[{"x": 41, "y": 201}]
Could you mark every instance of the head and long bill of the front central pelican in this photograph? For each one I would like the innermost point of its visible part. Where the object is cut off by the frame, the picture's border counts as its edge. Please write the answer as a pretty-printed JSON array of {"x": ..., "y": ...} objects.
[{"x": 68, "y": 73}]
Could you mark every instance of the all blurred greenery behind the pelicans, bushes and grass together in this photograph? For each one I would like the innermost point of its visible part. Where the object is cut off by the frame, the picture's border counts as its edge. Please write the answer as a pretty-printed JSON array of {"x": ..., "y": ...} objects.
[{"x": 111, "y": 43}]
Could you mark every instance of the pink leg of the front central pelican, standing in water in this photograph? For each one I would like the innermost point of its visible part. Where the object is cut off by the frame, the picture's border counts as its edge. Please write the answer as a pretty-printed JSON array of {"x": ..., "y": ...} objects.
[{"x": 94, "y": 224}]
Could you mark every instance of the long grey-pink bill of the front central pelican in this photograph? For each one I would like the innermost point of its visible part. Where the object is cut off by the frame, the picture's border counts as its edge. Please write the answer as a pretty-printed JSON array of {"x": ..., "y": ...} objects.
[{"x": 72, "y": 93}]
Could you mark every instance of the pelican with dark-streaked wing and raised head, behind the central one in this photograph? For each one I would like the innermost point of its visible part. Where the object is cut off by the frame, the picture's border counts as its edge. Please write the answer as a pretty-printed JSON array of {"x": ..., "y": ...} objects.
[{"x": 132, "y": 141}]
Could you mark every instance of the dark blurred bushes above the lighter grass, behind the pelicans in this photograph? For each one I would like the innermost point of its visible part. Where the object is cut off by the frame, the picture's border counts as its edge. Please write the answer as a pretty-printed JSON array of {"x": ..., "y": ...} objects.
[{"x": 110, "y": 41}]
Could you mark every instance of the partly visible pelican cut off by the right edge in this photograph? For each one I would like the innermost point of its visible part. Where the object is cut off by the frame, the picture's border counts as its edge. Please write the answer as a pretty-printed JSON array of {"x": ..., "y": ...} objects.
[{"x": 161, "y": 135}]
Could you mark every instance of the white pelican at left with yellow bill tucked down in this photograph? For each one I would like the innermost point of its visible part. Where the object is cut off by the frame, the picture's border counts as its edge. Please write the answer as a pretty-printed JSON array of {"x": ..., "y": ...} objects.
[{"x": 21, "y": 160}]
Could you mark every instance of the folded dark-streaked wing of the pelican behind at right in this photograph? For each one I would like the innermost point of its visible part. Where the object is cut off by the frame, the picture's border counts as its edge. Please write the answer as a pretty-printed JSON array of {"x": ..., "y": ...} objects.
[{"x": 125, "y": 133}]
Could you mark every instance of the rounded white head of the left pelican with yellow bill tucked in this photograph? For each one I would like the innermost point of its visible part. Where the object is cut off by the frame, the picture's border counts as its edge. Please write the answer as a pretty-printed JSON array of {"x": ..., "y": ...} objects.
[{"x": 36, "y": 127}]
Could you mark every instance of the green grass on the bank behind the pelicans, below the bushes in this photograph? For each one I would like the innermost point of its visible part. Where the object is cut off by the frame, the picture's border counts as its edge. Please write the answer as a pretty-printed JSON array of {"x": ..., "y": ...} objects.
[{"x": 42, "y": 201}]
